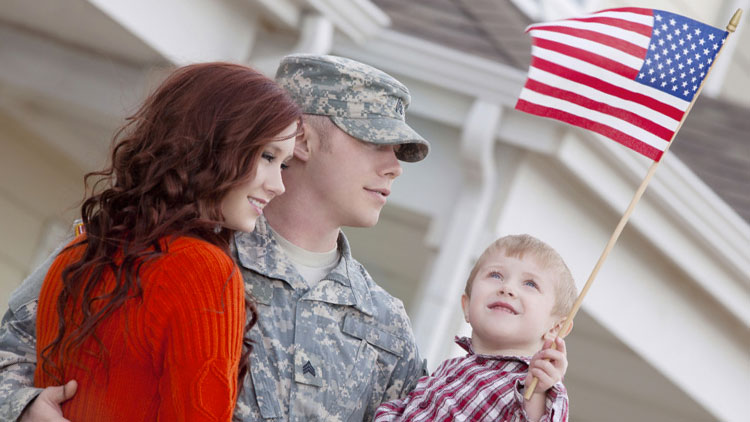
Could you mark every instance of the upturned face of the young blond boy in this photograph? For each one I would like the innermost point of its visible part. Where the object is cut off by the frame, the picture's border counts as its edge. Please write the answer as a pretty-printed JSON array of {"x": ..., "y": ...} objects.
[{"x": 510, "y": 306}]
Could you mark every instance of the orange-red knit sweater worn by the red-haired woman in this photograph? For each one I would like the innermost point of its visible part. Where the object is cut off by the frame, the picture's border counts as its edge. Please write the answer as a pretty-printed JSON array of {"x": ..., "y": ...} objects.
[{"x": 173, "y": 352}]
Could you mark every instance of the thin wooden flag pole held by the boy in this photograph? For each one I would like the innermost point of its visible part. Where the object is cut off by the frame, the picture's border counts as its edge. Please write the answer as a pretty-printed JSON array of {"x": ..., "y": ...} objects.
[{"x": 567, "y": 325}]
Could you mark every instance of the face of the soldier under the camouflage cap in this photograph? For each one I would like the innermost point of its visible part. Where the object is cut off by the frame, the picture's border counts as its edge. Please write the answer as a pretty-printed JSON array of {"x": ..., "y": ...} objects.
[{"x": 354, "y": 178}]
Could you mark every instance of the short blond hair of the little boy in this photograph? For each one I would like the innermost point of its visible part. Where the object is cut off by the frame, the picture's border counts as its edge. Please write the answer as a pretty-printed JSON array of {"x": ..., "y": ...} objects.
[{"x": 517, "y": 246}]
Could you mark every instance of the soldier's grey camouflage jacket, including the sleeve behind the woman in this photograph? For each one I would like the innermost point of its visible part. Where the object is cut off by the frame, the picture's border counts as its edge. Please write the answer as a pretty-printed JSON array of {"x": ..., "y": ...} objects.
[{"x": 332, "y": 353}]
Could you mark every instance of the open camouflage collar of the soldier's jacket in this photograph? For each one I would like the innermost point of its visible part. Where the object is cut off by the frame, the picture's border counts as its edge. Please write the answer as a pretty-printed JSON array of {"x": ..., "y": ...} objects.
[{"x": 260, "y": 252}]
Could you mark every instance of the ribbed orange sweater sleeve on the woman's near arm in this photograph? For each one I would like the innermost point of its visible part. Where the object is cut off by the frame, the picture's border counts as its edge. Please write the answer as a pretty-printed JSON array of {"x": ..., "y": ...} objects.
[{"x": 197, "y": 310}]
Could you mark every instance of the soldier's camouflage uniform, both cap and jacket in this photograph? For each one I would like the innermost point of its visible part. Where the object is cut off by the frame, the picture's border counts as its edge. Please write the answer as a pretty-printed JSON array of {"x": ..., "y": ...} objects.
[{"x": 330, "y": 353}]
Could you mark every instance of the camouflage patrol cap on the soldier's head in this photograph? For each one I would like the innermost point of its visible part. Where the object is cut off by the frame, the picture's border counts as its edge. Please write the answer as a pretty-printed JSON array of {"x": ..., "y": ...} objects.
[{"x": 364, "y": 102}]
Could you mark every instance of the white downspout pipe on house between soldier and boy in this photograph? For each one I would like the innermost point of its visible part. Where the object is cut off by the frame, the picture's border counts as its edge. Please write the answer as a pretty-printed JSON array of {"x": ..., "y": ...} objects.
[{"x": 440, "y": 294}]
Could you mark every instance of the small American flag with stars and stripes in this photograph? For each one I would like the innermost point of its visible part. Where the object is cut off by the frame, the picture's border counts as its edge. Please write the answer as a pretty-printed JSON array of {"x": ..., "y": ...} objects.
[{"x": 629, "y": 74}]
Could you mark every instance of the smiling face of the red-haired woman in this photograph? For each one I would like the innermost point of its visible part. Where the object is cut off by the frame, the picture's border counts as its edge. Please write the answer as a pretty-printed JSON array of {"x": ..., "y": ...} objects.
[{"x": 242, "y": 205}]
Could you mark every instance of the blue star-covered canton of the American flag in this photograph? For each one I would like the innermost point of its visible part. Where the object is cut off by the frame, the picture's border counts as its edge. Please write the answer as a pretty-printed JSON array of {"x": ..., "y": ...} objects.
[{"x": 679, "y": 54}]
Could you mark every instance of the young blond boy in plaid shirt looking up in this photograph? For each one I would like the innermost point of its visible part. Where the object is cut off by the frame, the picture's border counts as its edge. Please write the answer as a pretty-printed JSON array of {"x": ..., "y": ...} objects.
[{"x": 516, "y": 300}]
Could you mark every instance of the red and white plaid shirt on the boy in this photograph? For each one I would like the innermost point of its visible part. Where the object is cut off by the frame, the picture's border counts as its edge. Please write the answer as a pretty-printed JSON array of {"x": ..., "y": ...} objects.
[{"x": 473, "y": 388}]
